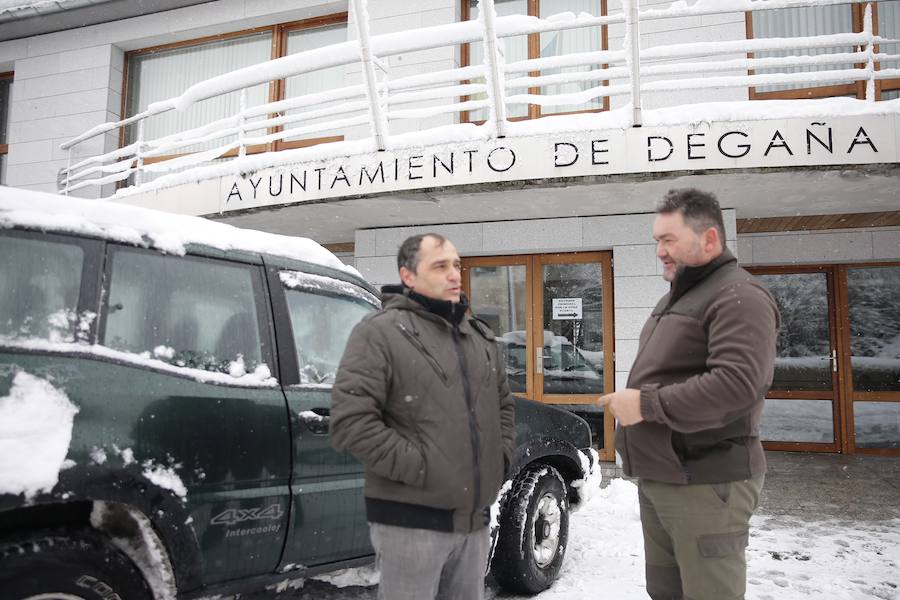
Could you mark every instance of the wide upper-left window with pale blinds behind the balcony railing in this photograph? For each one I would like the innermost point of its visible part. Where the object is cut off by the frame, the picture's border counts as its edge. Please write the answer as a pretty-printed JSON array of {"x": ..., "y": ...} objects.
[{"x": 162, "y": 72}]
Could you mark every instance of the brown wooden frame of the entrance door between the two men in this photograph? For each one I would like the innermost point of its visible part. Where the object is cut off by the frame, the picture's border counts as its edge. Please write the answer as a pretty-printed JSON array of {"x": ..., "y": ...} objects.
[{"x": 533, "y": 264}]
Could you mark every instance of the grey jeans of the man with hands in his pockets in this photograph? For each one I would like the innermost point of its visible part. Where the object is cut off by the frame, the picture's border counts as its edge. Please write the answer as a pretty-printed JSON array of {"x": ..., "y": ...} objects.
[{"x": 420, "y": 564}]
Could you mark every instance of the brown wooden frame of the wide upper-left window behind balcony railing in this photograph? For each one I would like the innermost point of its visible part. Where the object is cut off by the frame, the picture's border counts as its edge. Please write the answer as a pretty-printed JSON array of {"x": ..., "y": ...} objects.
[{"x": 276, "y": 88}]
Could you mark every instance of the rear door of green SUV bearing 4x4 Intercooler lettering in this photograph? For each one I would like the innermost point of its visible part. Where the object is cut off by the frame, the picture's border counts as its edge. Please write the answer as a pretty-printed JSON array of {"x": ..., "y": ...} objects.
[{"x": 190, "y": 382}]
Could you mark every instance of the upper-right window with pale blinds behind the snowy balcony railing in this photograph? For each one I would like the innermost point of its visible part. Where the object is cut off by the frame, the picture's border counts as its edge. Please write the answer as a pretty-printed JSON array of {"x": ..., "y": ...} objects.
[{"x": 823, "y": 20}]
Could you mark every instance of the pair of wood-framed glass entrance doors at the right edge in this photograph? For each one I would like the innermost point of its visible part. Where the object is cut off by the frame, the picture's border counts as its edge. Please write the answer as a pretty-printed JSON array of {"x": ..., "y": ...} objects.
[{"x": 837, "y": 373}]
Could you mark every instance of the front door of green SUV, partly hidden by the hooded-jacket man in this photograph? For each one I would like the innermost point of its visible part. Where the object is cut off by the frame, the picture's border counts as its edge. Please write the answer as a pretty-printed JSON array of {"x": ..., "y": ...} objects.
[{"x": 314, "y": 316}]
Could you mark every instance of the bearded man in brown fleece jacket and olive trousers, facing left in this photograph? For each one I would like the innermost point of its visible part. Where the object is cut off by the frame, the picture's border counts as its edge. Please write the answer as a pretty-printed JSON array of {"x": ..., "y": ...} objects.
[{"x": 689, "y": 418}]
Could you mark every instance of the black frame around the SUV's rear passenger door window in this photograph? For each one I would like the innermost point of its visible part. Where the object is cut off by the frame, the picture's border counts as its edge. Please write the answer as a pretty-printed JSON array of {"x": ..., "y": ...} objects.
[{"x": 268, "y": 354}]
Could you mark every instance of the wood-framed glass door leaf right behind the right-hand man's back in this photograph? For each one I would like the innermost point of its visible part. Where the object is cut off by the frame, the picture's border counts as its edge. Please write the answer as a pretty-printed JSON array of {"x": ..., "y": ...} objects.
[{"x": 802, "y": 409}]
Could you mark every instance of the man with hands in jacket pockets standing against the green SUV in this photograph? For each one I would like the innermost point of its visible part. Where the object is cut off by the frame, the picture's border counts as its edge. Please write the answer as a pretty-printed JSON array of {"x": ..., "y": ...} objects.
[{"x": 421, "y": 400}]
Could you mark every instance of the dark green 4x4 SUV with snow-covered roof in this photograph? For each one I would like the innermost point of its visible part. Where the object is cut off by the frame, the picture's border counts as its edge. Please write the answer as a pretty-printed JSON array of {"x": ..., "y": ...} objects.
[{"x": 164, "y": 399}]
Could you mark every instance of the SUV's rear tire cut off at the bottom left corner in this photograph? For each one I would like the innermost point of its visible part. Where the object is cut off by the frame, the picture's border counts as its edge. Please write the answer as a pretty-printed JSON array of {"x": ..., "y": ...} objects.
[{"x": 62, "y": 566}]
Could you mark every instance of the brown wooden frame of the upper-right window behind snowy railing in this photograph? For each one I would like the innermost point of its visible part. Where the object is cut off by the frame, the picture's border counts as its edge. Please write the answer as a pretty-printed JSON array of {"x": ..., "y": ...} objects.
[{"x": 857, "y": 89}]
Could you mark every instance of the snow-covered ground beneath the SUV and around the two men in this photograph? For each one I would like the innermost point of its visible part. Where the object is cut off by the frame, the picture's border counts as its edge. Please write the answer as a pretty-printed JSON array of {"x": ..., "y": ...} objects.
[{"x": 788, "y": 558}]
